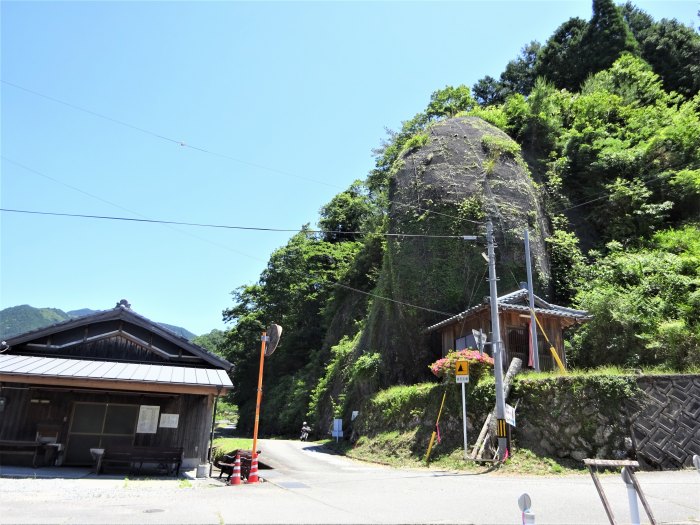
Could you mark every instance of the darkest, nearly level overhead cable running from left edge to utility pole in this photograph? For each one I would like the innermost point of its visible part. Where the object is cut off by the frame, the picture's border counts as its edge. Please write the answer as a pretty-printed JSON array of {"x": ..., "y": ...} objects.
[{"x": 227, "y": 226}]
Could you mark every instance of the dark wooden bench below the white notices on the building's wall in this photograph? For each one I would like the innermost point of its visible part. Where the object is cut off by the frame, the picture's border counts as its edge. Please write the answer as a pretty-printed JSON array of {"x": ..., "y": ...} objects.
[{"x": 164, "y": 459}]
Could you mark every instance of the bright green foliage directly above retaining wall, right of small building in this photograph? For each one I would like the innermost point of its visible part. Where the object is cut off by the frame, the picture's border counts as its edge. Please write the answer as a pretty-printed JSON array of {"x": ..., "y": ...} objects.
[{"x": 644, "y": 304}]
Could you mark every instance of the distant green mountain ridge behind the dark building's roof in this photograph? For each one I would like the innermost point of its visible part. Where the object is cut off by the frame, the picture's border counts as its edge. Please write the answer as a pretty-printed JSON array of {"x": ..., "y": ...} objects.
[{"x": 17, "y": 320}]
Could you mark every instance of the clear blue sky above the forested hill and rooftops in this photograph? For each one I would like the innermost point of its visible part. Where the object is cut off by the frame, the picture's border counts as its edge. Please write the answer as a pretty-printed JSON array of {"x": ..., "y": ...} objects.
[{"x": 243, "y": 114}]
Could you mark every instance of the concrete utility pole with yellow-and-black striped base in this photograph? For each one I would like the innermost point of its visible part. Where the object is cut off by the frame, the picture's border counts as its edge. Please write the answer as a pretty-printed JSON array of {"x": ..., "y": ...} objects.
[{"x": 496, "y": 345}]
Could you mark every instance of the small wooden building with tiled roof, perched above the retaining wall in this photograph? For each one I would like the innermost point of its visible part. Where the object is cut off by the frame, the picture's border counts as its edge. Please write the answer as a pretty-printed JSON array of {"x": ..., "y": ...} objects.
[{"x": 456, "y": 333}]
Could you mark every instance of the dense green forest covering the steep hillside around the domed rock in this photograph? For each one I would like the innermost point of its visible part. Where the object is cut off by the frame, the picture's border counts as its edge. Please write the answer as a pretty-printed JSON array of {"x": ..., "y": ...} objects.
[{"x": 605, "y": 119}]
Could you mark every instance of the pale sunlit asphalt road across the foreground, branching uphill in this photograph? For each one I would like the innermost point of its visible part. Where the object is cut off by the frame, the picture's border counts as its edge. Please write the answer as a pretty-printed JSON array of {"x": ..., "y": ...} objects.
[{"x": 308, "y": 485}]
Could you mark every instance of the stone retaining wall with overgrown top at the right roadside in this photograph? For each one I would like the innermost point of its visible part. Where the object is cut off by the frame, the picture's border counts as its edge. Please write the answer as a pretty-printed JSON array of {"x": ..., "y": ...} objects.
[{"x": 653, "y": 419}]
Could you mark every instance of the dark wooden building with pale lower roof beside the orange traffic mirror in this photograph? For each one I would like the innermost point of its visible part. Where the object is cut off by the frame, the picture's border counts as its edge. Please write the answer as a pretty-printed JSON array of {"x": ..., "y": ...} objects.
[{"x": 110, "y": 379}]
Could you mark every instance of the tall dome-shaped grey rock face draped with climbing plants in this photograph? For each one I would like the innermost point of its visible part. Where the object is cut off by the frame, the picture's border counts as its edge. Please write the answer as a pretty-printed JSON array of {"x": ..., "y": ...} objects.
[{"x": 461, "y": 173}]
